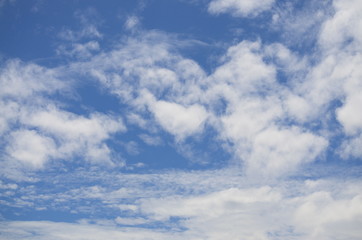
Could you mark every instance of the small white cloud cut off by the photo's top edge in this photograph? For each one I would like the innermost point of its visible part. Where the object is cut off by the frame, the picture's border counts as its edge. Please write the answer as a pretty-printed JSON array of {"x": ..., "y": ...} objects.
[{"x": 240, "y": 8}]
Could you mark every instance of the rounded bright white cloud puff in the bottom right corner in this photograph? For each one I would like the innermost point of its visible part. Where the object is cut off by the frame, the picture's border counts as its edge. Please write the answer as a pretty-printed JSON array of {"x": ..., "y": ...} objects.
[{"x": 320, "y": 216}]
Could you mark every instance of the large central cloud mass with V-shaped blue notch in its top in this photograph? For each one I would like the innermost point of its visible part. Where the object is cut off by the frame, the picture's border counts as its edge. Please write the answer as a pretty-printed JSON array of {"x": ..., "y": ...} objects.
[{"x": 242, "y": 98}]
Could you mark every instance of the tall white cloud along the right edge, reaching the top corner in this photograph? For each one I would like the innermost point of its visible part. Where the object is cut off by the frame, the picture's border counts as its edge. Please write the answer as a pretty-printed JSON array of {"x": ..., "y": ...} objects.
[{"x": 337, "y": 76}]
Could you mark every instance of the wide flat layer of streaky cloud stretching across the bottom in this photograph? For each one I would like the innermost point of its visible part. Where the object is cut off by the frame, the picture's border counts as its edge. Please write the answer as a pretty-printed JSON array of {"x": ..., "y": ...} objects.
[{"x": 213, "y": 204}]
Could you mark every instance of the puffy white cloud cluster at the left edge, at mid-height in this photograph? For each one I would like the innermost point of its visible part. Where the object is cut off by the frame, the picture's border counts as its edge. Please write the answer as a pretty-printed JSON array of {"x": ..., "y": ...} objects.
[{"x": 36, "y": 129}]
